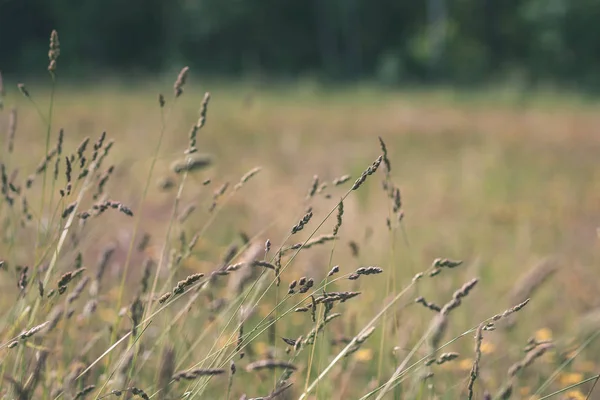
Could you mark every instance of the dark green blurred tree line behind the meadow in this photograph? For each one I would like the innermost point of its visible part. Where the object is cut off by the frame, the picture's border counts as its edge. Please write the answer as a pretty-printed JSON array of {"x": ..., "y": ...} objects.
[{"x": 460, "y": 41}]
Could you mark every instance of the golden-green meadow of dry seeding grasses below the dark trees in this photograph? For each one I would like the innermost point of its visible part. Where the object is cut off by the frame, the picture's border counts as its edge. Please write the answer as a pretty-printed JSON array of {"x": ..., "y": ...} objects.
[{"x": 508, "y": 185}]
